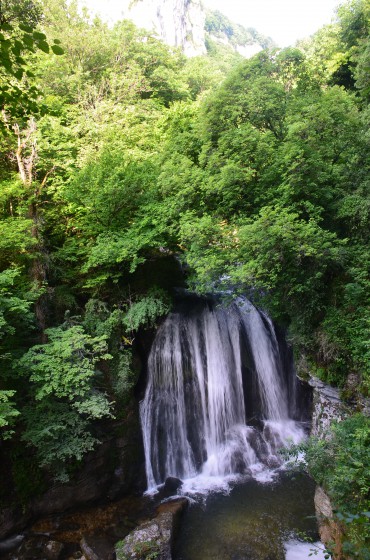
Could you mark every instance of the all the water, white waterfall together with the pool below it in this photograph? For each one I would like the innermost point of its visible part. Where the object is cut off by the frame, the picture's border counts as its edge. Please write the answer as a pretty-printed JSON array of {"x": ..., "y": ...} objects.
[{"x": 221, "y": 400}]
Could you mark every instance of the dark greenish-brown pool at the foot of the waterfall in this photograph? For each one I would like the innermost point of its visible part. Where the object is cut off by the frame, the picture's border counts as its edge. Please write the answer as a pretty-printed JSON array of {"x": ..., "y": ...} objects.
[{"x": 251, "y": 523}]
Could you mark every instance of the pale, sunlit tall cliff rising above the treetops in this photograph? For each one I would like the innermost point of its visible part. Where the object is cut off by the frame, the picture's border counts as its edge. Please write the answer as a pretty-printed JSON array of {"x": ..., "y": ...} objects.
[{"x": 189, "y": 24}]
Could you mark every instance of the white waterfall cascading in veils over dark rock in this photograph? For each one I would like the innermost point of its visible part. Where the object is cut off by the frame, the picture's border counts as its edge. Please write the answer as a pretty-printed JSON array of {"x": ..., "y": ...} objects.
[{"x": 217, "y": 401}]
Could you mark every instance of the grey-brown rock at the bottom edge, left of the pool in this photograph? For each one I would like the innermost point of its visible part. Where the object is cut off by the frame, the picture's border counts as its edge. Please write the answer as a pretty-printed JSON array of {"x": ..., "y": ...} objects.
[{"x": 154, "y": 538}]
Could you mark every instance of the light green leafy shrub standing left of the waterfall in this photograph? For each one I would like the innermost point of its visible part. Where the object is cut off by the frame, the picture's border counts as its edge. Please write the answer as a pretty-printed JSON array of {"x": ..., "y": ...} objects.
[{"x": 63, "y": 373}]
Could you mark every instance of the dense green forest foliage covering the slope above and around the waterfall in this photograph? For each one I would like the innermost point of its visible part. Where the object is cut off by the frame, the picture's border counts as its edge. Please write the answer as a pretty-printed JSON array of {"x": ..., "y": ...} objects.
[{"x": 254, "y": 173}]
